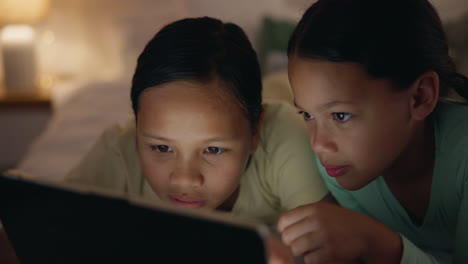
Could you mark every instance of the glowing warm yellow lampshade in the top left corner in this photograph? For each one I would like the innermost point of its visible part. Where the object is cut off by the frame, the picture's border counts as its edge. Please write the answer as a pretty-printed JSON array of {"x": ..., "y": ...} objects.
[{"x": 23, "y": 11}]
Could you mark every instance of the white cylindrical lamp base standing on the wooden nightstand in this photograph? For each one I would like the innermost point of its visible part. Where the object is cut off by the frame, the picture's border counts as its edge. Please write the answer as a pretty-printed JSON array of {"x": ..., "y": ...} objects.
[{"x": 19, "y": 62}]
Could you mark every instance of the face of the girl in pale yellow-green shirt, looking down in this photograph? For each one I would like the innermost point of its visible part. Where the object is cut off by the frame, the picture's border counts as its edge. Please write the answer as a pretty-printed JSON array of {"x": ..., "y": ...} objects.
[{"x": 193, "y": 144}]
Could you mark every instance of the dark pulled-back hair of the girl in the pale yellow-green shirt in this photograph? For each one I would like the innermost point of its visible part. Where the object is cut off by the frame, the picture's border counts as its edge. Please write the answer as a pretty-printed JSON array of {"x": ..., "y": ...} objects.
[{"x": 202, "y": 49}]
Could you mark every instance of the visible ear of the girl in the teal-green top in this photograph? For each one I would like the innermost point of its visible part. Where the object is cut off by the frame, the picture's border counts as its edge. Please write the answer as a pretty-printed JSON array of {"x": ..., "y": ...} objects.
[{"x": 424, "y": 95}]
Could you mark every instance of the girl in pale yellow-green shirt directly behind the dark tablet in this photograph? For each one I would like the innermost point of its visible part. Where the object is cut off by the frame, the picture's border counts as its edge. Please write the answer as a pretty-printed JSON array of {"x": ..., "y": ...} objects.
[{"x": 201, "y": 137}]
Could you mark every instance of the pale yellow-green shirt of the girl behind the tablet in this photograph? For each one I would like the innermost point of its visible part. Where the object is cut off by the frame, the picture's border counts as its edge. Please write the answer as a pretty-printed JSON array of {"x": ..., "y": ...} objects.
[{"x": 281, "y": 174}]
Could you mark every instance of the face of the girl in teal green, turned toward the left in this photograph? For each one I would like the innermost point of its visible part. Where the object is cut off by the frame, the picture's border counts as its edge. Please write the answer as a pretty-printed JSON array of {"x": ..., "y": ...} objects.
[{"x": 358, "y": 125}]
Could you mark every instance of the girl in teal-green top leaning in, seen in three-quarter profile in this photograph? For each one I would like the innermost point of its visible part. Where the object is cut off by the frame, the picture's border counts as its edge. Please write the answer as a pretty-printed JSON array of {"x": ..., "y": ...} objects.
[{"x": 370, "y": 79}]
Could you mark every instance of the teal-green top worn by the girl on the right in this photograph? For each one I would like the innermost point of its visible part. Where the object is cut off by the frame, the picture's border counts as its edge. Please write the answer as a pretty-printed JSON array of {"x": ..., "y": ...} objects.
[{"x": 444, "y": 232}]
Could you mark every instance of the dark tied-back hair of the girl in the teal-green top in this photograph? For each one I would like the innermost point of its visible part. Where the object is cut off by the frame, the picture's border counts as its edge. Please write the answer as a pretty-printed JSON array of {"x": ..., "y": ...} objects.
[{"x": 394, "y": 39}]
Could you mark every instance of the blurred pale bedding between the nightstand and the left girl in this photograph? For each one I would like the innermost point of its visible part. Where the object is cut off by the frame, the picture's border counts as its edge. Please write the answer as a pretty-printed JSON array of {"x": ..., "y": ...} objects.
[{"x": 74, "y": 127}]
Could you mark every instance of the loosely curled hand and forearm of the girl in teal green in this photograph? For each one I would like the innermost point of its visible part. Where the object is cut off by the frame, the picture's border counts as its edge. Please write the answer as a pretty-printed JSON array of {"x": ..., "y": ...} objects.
[{"x": 323, "y": 232}]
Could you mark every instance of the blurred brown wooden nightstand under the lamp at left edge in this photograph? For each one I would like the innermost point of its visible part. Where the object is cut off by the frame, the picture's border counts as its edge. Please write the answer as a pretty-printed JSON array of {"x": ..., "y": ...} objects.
[{"x": 22, "y": 117}]
